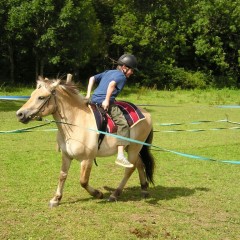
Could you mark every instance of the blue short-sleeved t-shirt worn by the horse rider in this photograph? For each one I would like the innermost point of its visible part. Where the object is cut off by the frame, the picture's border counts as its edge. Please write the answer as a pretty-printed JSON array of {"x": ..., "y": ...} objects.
[{"x": 103, "y": 79}]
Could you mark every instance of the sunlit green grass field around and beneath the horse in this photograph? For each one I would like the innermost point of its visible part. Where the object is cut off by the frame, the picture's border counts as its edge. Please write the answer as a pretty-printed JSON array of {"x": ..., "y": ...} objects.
[{"x": 191, "y": 199}]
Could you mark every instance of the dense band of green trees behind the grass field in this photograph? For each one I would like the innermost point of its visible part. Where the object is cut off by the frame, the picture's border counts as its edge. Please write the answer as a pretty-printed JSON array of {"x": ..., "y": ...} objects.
[{"x": 185, "y": 44}]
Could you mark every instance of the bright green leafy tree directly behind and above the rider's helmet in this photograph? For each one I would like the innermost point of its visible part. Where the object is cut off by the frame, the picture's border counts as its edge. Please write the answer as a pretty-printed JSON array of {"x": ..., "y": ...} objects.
[{"x": 153, "y": 31}]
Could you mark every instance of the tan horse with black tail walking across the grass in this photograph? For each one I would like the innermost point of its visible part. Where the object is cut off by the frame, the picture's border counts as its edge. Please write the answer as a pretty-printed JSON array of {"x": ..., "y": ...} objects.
[{"x": 74, "y": 119}]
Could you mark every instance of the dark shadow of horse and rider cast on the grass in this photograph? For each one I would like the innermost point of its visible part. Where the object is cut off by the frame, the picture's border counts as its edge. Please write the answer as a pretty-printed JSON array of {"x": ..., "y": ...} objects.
[{"x": 157, "y": 194}]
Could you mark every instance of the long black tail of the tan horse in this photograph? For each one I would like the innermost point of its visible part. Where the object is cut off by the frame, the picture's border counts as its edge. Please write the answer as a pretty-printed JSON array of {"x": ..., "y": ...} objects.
[{"x": 148, "y": 159}]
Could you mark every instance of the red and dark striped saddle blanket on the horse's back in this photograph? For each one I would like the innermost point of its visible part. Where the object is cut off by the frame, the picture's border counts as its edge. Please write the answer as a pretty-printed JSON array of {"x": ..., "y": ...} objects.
[{"x": 105, "y": 123}]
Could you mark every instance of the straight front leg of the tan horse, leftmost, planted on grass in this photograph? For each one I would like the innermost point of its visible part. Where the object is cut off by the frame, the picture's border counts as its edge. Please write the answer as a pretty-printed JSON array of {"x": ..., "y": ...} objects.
[{"x": 66, "y": 162}]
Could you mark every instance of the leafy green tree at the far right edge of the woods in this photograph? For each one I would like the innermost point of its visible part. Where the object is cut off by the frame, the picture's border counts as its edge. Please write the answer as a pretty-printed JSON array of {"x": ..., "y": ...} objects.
[{"x": 216, "y": 31}]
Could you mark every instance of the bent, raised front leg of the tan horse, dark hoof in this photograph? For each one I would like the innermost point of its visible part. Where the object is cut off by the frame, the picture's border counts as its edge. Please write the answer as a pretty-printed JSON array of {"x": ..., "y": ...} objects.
[{"x": 86, "y": 167}]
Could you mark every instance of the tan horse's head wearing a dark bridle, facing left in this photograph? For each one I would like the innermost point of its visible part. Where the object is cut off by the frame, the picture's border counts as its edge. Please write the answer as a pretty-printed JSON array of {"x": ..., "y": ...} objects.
[{"x": 41, "y": 102}]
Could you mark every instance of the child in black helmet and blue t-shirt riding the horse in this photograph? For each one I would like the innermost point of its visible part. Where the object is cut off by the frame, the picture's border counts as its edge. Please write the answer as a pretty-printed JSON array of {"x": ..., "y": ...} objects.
[{"x": 110, "y": 83}]
